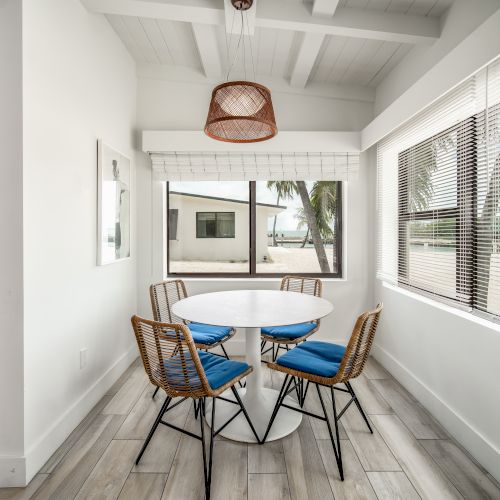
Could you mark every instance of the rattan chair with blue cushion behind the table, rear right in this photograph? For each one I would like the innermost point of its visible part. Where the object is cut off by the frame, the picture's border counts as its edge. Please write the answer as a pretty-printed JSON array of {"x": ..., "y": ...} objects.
[{"x": 281, "y": 337}]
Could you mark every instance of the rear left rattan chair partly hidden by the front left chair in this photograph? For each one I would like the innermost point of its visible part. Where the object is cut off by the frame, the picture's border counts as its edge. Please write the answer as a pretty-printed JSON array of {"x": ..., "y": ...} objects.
[{"x": 164, "y": 295}]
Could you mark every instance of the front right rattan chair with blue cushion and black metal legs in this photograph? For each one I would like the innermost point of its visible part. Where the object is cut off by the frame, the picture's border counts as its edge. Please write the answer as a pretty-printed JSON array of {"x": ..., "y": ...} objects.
[{"x": 326, "y": 364}]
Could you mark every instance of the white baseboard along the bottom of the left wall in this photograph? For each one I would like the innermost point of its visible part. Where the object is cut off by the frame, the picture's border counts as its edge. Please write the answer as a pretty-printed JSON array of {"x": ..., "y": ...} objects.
[{"x": 41, "y": 450}]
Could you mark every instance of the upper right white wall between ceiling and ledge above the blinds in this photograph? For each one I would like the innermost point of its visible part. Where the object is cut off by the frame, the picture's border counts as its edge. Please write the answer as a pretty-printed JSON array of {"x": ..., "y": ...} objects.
[{"x": 463, "y": 17}]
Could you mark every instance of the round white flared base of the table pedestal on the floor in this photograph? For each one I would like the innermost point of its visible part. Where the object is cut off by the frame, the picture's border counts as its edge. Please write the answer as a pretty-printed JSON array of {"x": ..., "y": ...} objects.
[{"x": 259, "y": 408}]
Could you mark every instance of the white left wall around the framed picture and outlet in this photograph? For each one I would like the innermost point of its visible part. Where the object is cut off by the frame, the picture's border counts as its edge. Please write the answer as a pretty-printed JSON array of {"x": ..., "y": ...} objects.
[{"x": 79, "y": 85}]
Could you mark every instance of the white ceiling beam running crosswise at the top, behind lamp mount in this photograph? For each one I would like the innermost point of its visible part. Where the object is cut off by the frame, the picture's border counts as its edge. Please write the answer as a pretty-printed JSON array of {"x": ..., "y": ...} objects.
[{"x": 286, "y": 15}]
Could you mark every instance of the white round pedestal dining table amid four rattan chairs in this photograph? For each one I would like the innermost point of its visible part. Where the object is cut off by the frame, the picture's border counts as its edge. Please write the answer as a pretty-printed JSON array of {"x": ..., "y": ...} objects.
[{"x": 252, "y": 310}]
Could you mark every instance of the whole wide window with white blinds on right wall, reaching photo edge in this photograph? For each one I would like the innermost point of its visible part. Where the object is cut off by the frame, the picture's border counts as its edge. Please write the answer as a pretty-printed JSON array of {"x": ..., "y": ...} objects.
[{"x": 449, "y": 214}]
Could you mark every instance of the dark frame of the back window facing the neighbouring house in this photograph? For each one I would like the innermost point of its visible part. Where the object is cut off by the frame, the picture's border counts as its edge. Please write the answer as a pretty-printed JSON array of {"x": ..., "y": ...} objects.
[{"x": 252, "y": 265}]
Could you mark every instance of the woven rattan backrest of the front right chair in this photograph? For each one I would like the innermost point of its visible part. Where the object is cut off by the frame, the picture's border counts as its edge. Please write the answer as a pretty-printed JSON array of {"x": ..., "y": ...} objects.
[{"x": 359, "y": 346}]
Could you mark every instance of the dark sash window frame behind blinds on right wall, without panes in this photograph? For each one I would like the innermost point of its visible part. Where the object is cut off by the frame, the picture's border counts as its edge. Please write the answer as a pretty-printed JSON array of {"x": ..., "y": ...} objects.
[{"x": 464, "y": 214}]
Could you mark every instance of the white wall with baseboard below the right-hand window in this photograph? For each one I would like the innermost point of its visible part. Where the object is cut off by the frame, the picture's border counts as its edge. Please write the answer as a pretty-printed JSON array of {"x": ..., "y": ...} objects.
[{"x": 449, "y": 361}]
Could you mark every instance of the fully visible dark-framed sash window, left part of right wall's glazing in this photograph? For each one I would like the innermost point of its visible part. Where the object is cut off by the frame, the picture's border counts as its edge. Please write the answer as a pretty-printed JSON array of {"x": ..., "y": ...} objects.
[{"x": 436, "y": 210}]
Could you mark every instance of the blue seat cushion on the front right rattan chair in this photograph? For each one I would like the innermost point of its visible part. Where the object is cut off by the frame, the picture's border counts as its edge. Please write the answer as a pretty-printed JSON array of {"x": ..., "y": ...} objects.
[{"x": 315, "y": 357}]
